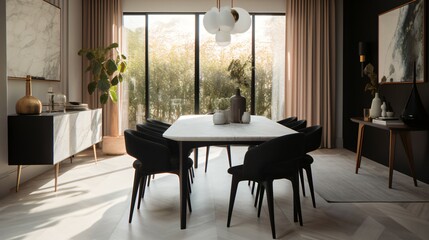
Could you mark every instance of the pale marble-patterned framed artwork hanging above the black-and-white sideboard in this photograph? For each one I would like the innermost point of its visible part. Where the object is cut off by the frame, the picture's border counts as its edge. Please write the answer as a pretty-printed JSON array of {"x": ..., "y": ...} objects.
[{"x": 33, "y": 39}]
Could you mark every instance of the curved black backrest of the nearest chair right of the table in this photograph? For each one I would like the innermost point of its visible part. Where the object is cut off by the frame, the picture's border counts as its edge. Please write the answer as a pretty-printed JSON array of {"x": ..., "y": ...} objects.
[{"x": 284, "y": 148}]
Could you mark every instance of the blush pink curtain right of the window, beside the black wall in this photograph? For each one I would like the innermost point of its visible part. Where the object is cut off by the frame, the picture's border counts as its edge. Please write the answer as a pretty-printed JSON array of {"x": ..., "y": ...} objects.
[{"x": 310, "y": 64}]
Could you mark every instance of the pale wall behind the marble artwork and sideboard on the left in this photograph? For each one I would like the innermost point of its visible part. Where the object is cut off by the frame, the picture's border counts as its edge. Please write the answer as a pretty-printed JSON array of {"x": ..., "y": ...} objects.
[{"x": 12, "y": 90}]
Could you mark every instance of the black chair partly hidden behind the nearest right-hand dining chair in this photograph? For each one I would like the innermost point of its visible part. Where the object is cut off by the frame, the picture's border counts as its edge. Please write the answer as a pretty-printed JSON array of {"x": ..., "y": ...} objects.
[{"x": 313, "y": 138}]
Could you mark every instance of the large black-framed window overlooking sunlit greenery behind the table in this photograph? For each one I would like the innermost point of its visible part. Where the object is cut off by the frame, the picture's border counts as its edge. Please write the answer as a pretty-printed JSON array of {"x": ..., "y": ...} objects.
[{"x": 175, "y": 67}]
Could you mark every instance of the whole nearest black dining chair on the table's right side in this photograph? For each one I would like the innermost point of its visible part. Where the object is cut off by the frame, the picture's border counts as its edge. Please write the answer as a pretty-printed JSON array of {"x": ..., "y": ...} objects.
[{"x": 274, "y": 159}]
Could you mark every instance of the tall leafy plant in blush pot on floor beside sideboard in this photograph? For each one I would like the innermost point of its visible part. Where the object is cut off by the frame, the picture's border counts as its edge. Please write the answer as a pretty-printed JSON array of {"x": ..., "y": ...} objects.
[{"x": 107, "y": 66}]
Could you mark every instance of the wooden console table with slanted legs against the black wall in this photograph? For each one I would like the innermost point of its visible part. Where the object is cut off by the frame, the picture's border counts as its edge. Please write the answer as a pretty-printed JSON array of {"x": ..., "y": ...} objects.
[{"x": 402, "y": 130}]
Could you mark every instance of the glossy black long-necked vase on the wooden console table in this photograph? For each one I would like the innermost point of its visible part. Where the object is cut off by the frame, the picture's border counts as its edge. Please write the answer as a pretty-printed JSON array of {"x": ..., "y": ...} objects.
[{"x": 414, "y": 113}]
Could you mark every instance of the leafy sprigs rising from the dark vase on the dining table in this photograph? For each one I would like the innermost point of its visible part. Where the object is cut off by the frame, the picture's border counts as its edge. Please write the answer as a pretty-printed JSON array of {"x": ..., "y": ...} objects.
[{"x": 239, "y": 71}]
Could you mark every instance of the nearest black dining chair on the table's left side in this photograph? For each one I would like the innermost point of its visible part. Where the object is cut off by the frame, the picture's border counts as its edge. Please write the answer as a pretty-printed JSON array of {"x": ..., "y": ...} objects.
[{"x": 153, "y": 156}]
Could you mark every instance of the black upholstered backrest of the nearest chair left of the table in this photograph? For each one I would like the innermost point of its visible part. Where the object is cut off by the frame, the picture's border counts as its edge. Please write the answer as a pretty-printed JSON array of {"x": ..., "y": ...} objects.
[{"x": 154, "y": 156}]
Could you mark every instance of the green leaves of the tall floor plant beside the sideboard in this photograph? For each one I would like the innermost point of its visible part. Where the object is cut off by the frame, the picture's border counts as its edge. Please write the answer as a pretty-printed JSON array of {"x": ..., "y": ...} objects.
[{"x": 107, "y": 66}]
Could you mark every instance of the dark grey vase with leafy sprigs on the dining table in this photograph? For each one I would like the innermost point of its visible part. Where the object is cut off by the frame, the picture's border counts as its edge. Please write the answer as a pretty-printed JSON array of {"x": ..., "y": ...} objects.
[{"x": 238, "y": 72}]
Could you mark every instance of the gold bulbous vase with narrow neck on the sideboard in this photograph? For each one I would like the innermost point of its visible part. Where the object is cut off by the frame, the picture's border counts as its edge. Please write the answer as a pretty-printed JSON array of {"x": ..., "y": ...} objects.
[{"x": 28, "y": 104}]
